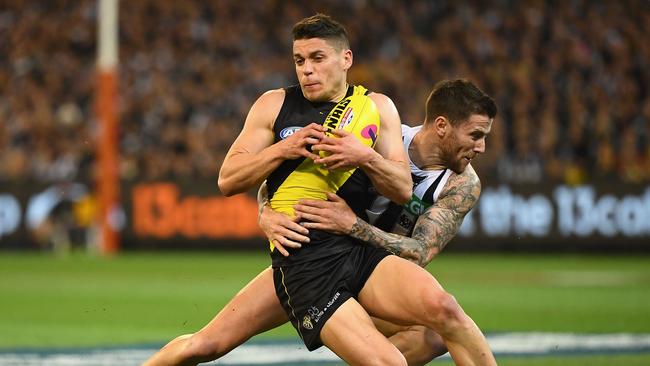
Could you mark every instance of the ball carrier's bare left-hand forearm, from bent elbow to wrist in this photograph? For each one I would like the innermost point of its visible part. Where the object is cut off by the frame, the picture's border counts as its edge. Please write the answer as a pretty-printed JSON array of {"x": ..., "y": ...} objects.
[{"x": 243, "y": 171}]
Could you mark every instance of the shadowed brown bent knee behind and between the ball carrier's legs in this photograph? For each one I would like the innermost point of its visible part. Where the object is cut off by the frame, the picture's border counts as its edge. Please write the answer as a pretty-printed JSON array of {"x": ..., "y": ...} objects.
[{"x": 417, "y": 343}]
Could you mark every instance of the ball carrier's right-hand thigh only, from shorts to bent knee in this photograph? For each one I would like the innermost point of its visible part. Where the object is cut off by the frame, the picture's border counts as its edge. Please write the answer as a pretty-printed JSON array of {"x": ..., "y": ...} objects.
[{"x": 400, "y": 292}]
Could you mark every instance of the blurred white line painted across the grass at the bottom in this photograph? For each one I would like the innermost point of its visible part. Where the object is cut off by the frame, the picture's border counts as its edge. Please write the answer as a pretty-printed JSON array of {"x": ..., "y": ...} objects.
[{"x": 290, "y": 352}]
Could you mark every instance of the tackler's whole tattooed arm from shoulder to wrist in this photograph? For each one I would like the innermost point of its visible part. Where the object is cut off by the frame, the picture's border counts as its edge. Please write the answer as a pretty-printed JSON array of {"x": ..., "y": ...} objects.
[{"x": 434, "y": 228}]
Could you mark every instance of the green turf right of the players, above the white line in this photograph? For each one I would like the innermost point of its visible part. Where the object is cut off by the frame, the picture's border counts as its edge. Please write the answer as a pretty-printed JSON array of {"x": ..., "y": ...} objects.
[{"x": 550, "y": 293}]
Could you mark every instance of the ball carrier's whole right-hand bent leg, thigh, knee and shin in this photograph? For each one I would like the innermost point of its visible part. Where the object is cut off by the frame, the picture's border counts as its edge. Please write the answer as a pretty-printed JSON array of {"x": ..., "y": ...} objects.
[{"x": 404, "y": 293}]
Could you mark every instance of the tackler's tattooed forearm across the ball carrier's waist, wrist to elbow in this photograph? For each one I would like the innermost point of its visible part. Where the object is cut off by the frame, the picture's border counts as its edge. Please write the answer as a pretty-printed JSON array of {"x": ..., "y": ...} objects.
[{"x": 414, "y": 250}]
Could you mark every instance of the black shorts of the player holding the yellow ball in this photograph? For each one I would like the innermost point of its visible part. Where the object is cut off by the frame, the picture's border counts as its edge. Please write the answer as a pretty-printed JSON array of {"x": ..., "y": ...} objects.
[{"x": 310, "y": 292}]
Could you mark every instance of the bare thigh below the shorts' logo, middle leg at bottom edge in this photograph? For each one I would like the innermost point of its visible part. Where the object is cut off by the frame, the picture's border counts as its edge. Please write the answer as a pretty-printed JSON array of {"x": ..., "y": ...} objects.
[{"x": 351, "y": 334}]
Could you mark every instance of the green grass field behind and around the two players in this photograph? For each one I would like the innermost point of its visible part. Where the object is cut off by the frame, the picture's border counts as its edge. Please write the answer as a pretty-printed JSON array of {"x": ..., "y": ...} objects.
[{"x": 132, "y": 299}]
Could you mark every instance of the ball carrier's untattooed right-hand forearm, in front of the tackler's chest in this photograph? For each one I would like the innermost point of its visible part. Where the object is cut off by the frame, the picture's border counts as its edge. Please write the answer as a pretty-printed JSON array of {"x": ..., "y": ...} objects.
[{"x": 392, "y": 179}]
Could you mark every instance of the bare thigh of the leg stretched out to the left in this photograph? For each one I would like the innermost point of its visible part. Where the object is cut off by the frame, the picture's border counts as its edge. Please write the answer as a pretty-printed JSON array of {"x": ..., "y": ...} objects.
[{"x": 255, "y": 309}]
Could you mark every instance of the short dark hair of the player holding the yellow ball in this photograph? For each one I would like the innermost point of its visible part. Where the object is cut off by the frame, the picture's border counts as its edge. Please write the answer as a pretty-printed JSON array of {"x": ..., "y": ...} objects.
[{"x": 324, "y": 27}]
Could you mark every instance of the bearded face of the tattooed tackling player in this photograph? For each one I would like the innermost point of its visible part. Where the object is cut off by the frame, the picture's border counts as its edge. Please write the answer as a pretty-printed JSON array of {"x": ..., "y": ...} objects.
[{"x": 466, "y": 141}]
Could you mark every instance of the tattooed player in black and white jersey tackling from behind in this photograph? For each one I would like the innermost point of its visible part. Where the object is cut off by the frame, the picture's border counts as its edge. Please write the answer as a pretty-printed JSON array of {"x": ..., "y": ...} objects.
[{"x": 445, "y": 188}]
